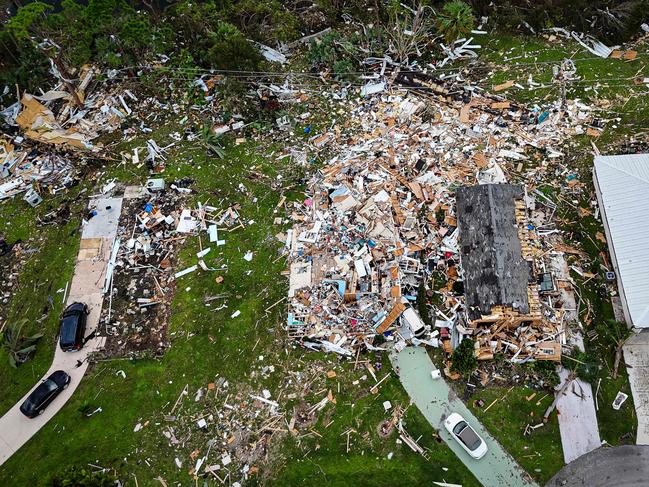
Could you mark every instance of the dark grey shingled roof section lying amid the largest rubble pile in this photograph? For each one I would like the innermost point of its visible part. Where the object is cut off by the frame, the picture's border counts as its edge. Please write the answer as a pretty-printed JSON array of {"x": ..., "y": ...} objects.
[{"x": 495, "y": 272}]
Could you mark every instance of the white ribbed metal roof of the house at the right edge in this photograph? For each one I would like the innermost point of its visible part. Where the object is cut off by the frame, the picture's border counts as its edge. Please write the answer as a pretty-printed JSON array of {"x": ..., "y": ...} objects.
[{"x": 622, "y": 187}]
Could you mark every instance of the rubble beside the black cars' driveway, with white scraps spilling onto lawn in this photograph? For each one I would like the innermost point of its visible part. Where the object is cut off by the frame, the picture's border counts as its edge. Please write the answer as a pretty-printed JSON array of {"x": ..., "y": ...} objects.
[{"x": 143, "y": 269}]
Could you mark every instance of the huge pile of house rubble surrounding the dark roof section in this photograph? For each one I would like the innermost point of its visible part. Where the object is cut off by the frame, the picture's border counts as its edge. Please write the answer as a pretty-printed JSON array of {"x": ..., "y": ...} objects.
[{"x": 380, "y": 217}]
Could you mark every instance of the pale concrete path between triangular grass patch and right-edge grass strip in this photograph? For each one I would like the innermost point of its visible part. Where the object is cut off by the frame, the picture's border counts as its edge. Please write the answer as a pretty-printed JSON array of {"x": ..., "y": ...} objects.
[{"x": 577, "y": 419}]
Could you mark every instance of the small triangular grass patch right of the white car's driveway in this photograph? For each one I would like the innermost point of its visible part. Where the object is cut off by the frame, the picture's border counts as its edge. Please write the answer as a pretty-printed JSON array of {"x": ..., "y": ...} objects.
[{"x": 540, "y": 452}]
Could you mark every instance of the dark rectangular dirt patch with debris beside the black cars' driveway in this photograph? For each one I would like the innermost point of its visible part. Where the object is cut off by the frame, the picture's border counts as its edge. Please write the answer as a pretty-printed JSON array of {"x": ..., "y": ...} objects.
[{"x": 135, "y": 321}]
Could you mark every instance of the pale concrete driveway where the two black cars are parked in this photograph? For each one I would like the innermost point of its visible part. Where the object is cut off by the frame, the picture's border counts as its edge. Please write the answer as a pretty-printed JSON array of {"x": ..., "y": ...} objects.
[{"x": 86, "y": 287}]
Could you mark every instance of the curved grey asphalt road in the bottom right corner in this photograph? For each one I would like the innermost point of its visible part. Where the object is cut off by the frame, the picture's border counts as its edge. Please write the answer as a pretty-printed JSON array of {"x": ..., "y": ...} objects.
[{"x": 622, "y": 466}]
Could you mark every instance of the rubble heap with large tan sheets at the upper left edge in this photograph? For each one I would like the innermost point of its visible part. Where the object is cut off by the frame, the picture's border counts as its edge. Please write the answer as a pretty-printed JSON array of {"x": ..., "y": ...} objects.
[{"x": 66, "y": 117}]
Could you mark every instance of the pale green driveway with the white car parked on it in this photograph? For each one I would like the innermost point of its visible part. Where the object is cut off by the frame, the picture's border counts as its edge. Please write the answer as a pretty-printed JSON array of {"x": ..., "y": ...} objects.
[{"x": 436, "y": 401}]
